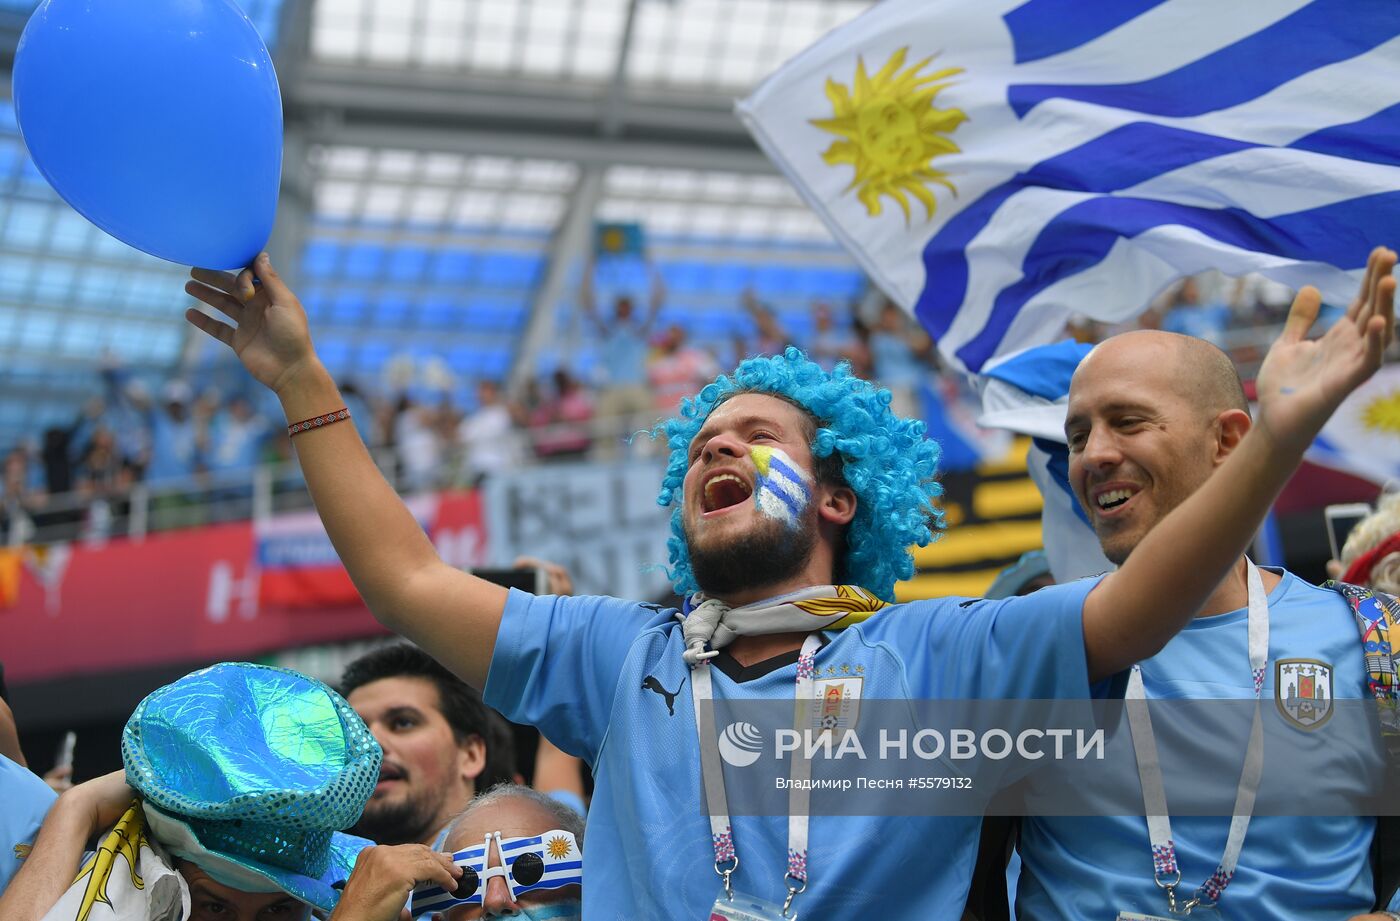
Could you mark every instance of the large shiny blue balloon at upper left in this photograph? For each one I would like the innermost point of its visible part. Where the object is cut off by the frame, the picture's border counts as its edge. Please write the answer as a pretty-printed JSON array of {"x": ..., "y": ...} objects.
[{"x": 160, "y": 121}]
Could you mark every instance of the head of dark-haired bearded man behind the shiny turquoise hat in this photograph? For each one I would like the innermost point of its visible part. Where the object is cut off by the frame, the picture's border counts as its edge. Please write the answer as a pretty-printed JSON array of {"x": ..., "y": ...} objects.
[{"x": 442, "y": 743}]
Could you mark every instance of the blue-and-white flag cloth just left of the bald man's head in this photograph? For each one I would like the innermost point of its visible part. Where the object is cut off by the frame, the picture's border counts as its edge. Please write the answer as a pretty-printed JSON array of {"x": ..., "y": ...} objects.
[{"x": 1028, "y": 393}]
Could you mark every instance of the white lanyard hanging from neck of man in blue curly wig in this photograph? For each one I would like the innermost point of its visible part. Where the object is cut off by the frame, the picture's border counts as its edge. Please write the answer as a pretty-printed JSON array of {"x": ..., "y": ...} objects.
[{"x": 712, "y": 773}]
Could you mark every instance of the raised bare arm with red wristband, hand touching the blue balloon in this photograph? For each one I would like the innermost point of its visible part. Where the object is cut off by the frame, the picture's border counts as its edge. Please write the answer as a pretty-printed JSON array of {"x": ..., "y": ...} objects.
[{"x": 451, "y": 615}]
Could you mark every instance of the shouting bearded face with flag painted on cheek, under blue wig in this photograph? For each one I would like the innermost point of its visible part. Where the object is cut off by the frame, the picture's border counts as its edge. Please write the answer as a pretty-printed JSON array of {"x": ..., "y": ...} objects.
[{"x": 738, "y": 544}]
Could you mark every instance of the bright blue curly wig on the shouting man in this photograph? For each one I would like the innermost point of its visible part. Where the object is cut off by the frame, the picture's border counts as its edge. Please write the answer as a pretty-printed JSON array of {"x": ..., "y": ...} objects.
[{"x": 887, "y": 461}]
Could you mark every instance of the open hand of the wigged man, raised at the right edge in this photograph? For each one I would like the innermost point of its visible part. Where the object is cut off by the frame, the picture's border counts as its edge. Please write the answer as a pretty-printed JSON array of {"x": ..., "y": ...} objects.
[{"x": 1304, "y": 381}]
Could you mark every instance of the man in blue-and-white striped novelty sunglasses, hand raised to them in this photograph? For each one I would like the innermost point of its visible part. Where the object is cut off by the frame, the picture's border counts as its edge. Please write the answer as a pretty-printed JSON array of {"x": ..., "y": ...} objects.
[{"x": 516, "y": 853}]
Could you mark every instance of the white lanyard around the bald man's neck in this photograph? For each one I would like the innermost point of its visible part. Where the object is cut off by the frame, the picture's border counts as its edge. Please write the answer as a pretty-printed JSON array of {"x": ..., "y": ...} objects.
[{"x": 1165, "y": 870}]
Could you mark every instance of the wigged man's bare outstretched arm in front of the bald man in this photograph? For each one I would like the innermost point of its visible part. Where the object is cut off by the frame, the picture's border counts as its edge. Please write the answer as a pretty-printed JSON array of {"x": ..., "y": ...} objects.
[{"x": 1167, "y": 579}]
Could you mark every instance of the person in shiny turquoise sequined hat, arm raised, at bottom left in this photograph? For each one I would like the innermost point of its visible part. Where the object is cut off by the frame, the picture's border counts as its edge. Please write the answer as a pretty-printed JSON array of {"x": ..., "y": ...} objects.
[{"x": 244, "y": 776}]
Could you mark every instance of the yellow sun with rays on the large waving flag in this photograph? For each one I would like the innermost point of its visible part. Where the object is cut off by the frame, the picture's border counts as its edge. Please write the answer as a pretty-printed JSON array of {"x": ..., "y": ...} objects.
[{"x": 891, "y": 131}]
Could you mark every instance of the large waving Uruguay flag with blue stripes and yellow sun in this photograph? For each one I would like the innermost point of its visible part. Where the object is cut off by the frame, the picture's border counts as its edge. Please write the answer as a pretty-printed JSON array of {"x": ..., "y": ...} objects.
[{"x": 999, "y": 164}]
